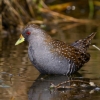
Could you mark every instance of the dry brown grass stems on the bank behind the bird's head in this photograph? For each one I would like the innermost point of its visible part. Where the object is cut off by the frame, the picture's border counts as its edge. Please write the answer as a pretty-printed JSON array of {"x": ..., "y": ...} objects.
[{"x": 16, "y": 14}]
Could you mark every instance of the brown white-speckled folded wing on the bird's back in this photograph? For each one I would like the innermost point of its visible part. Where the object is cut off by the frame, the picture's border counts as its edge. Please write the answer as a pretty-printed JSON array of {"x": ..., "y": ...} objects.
[{"x": 70, "y": 52}]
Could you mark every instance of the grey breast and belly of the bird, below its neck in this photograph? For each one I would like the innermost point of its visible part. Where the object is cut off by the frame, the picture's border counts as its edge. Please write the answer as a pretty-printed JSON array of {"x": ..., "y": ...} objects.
[{"x": 47, "y": 62}]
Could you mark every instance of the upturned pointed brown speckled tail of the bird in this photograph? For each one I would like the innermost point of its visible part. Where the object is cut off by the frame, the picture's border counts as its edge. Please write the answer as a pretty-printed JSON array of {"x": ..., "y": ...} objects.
[{"x": 83, "y": 44}]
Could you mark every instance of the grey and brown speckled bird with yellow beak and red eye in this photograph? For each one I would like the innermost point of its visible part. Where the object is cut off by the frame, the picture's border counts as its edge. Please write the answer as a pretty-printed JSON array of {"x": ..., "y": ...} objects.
[{"x": 51, "y": 56}]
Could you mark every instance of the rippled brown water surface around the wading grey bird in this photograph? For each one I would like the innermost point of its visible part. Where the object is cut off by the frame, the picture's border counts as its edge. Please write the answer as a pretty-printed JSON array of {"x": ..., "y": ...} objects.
[{"x": 19, "y": 80}]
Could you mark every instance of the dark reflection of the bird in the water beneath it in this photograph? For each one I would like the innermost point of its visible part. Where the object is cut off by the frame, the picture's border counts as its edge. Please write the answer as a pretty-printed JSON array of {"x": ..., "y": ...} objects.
[{"x": 40, "y": 90}]
